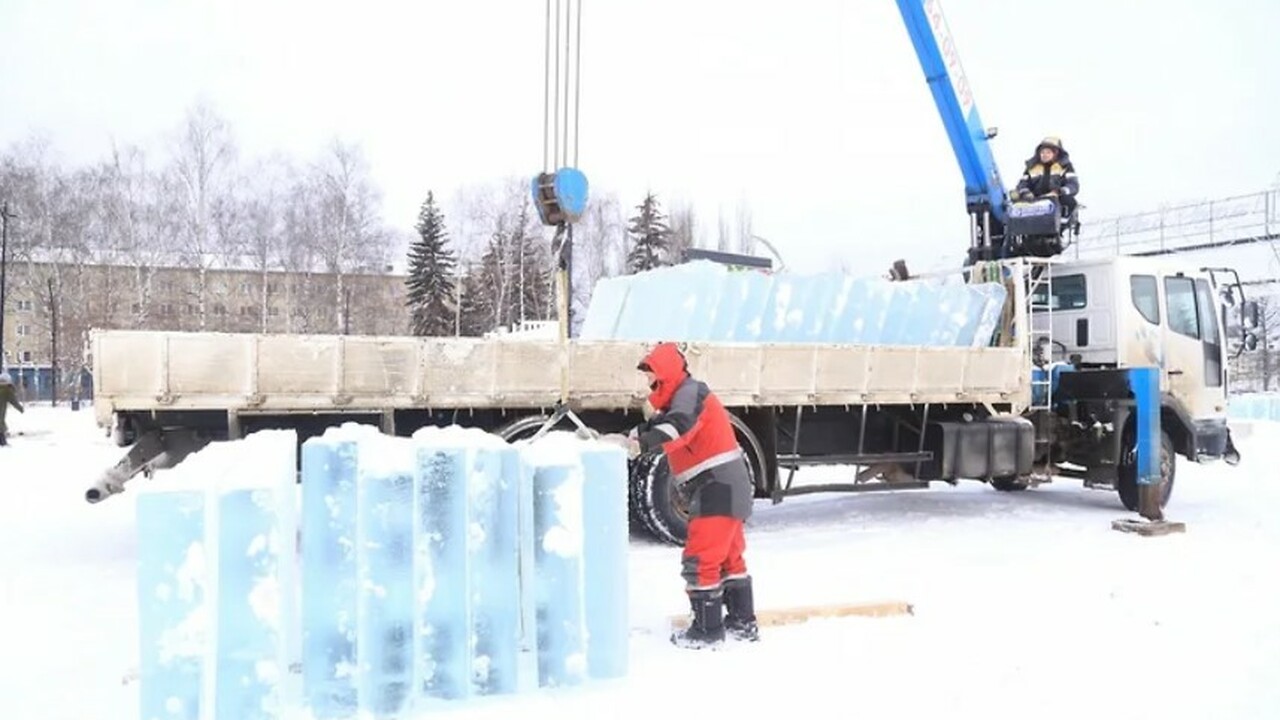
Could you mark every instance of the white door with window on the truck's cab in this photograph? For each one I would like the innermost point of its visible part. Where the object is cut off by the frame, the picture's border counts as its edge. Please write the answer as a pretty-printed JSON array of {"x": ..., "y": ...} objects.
[{"x": 1194, "y": 348}]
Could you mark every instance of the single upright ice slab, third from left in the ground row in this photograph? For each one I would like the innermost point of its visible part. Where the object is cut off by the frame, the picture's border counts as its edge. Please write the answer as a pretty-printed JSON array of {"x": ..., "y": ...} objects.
[{"x": 330, "y": 571}]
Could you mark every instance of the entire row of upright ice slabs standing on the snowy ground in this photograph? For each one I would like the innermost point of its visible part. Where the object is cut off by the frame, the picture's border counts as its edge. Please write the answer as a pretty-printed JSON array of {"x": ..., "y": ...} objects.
[{"x": 435, "y": 569}]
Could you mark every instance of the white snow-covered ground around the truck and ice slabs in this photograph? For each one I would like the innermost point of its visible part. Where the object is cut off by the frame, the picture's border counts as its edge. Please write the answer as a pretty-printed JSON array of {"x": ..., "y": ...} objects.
[{"x": 1027, "y": 605}]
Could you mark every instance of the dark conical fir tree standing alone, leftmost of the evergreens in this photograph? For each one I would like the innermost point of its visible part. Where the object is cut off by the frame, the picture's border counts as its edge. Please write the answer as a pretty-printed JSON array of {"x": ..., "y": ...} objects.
[{"x": 432, "y": 290}]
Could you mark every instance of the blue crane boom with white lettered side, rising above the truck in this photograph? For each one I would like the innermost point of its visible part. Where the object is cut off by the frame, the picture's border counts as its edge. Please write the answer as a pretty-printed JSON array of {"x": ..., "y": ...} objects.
[{"x": 954, "y": 98}]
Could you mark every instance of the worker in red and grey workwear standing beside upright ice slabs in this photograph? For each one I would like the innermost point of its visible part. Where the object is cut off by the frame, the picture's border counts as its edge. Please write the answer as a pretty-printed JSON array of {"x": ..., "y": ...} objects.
[{"x": 693, "y": 430}]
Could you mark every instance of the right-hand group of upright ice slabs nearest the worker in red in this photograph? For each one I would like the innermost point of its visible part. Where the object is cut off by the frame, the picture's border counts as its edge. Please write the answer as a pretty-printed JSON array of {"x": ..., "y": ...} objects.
[{"x": 454, "y": 566}]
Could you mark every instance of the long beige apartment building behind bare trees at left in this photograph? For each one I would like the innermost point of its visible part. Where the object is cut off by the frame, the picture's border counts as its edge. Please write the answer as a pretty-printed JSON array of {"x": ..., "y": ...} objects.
[{"x": 52, "y": 308}]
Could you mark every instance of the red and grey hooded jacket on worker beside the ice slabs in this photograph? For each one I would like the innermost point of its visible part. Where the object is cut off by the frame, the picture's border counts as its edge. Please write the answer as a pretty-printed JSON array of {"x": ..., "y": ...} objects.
[{"x": 694, "y": 432}]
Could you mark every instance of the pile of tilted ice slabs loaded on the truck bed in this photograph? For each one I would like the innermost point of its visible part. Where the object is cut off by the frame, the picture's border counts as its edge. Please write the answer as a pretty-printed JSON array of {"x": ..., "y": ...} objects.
[{"x": 707, "y": 302}]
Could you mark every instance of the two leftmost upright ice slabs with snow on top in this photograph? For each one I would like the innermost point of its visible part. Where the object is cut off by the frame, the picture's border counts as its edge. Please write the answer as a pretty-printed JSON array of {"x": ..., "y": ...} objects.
[{"x": 228, "y": 509}]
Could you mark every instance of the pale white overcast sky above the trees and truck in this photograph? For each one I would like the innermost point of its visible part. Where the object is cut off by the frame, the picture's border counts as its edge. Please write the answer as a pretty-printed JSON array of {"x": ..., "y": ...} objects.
[{"x": 813, "y": 112}]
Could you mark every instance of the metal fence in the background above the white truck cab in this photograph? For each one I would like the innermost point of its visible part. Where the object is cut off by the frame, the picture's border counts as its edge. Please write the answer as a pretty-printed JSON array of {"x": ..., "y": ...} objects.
[{"x": 1183, "y": 229}]
